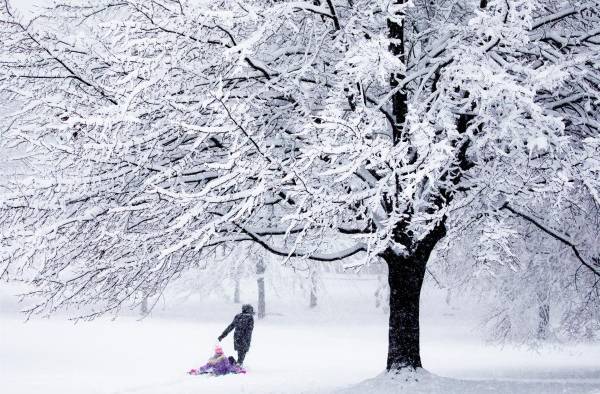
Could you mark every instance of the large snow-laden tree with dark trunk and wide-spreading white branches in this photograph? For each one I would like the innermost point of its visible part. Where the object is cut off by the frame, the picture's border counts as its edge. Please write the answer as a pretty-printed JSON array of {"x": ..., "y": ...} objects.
[{"x": 317, "y": 129}]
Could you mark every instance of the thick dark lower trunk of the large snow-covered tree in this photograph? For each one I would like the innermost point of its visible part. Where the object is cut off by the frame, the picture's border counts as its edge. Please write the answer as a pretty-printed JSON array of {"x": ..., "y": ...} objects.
[{"x": 405, "y": 277}]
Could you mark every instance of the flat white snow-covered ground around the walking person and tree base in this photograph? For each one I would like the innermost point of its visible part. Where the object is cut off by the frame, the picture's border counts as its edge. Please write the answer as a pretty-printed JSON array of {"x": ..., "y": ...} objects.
[{"x": 340, "y": 347}]
